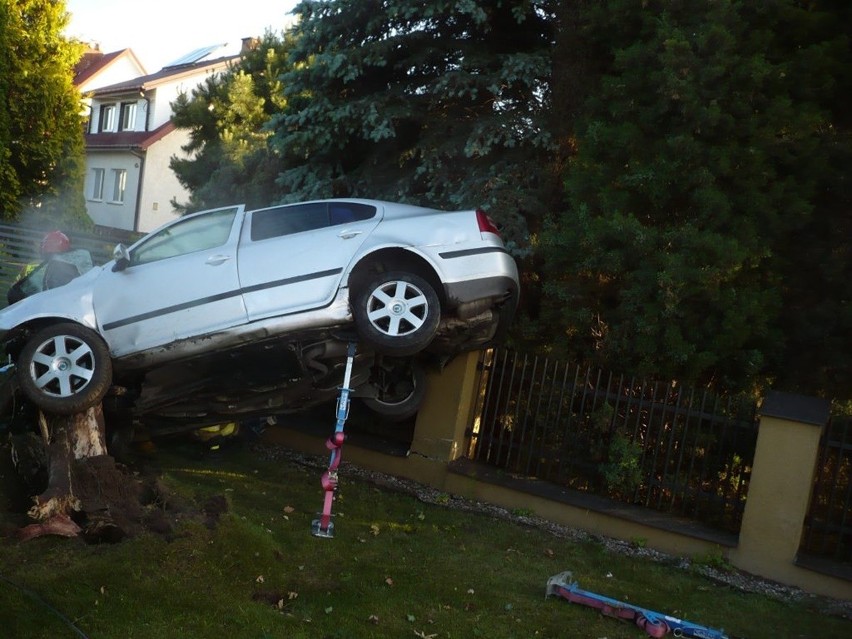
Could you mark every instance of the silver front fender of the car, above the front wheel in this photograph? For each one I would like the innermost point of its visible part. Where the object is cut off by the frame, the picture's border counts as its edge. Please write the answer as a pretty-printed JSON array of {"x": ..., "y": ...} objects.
[{"x": 73, "y": 301}]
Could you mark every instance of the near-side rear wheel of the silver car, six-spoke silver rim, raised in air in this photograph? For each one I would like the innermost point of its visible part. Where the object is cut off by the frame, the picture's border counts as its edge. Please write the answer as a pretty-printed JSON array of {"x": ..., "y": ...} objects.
[{"x": 397, "y": 314}]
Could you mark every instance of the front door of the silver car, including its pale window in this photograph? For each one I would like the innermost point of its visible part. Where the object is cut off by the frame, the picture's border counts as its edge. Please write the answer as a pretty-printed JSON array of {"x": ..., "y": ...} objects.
[{"x": 181, "y": 282}]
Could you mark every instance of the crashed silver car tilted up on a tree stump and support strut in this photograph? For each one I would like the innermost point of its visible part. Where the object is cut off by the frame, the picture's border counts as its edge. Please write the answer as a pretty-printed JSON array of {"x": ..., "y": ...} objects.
[{"x": 210, "y": 300}]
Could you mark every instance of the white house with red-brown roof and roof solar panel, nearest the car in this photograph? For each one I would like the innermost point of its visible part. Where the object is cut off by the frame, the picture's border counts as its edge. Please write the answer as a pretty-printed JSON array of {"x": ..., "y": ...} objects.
[{"x": 130, "y": 140}]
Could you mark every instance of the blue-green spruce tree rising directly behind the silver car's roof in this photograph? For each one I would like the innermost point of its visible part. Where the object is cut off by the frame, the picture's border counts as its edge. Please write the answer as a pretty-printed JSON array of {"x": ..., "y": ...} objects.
[{"x": 442, "y": 103}]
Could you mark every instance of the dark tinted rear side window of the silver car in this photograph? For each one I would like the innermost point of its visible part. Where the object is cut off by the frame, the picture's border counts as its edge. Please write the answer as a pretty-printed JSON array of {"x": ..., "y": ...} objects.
[{"x": 296, "y": 218}]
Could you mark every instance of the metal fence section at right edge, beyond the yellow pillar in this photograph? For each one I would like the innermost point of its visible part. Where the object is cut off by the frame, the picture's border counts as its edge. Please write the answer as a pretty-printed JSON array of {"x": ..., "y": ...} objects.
[{"x": 828, "y": 525}]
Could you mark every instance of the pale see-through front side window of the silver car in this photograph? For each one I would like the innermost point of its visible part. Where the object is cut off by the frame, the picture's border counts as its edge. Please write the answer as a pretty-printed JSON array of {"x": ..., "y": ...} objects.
[{"x": 197, "y": 233}]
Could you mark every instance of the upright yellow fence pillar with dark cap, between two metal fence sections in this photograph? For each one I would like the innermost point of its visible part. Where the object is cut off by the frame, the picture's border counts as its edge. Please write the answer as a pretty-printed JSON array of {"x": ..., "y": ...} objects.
[{"x": 780, "y": 486}]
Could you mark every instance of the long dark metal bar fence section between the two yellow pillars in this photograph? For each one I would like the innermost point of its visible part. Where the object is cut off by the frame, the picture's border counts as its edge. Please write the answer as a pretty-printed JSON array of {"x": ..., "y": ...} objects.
[{"x": 661, "y": 445}]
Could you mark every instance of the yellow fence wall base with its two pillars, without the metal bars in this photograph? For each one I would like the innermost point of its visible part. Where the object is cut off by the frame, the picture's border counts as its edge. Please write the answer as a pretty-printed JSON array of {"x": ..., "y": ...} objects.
[{"x": 778, "y": 498}]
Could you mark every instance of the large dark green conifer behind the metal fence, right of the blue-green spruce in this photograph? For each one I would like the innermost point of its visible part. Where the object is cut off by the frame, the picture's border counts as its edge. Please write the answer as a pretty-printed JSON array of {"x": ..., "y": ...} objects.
[{"x": 700, "y": 159}]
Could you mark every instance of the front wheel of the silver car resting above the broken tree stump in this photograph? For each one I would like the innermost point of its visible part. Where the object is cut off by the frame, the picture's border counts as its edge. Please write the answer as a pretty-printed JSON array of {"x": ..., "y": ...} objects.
[{"x": 65, "y": 369}]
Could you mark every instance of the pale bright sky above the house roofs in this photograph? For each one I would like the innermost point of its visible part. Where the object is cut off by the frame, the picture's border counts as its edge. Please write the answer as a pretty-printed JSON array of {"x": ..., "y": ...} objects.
[{"x": 161, "y": 31}]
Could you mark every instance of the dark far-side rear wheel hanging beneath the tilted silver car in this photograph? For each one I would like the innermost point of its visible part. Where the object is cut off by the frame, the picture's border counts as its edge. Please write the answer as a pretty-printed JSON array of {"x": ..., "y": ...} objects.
[{"x": 401, "y": 390}]
